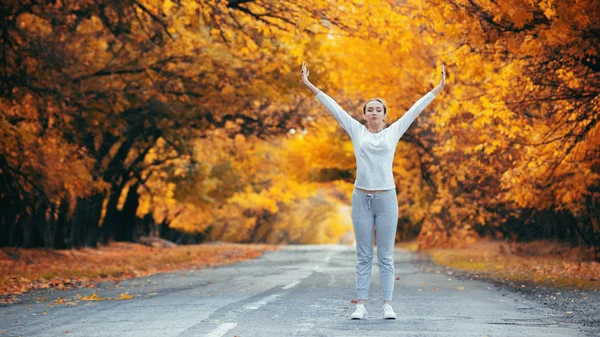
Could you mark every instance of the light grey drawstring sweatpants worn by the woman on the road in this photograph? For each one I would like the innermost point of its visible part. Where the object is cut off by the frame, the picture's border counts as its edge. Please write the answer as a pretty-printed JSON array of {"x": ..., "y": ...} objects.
[{"x": 378, "y": 210}]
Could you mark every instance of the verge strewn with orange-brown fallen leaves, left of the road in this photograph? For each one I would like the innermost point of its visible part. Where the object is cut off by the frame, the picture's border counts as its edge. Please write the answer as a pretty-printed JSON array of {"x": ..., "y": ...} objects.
[{"x": 22, "y": 270}]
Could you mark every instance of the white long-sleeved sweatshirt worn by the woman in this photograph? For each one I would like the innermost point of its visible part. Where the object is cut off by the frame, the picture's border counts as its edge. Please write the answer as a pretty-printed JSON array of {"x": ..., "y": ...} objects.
[{"x": 374, "y": 152}]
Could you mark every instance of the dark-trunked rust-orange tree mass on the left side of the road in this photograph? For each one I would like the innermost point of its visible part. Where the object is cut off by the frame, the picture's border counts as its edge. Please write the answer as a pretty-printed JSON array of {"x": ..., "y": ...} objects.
[{"x": 108, "y": 80}]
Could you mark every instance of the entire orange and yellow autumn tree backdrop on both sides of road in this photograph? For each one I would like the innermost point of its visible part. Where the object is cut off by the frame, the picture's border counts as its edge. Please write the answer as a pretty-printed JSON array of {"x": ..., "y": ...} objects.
[{"x": 127, "y": 118}]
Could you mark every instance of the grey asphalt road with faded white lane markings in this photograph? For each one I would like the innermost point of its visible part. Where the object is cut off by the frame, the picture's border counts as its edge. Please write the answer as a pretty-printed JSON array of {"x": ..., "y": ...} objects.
[{"x": 297, "y": 291}]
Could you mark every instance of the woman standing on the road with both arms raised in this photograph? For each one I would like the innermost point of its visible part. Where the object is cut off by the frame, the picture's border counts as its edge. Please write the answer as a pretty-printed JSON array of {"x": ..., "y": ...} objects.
[{"x": 374, "y": 200}]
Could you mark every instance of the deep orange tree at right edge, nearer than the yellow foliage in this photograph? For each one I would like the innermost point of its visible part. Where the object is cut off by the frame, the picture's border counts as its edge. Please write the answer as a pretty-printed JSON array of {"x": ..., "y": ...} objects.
[{"x": 541, "y": 153}]
